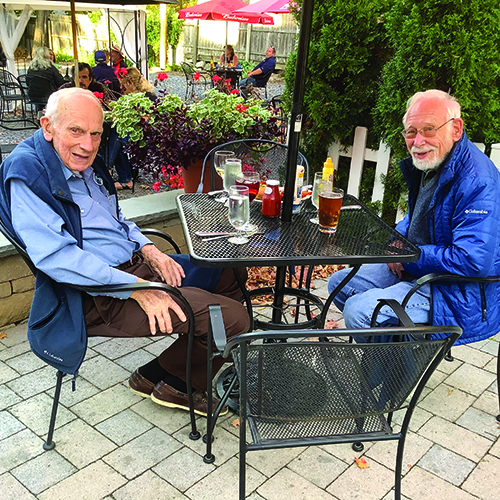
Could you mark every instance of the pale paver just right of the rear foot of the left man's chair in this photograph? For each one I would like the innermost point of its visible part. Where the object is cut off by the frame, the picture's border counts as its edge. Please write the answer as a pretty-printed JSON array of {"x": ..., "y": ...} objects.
[{"x": 81, "y": 444}]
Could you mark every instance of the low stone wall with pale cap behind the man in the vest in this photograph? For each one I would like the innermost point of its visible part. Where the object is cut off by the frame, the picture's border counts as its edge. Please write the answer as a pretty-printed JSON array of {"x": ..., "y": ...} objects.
[{"x": 17, "y": 282}]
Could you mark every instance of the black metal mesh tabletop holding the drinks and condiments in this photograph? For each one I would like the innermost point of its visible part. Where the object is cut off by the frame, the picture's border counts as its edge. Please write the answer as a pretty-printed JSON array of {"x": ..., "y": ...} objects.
[{"x": 361, "y": 237}]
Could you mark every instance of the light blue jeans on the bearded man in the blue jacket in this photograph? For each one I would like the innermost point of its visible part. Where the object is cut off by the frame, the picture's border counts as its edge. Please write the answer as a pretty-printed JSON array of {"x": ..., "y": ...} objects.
[{"x": 359, "y": 297}]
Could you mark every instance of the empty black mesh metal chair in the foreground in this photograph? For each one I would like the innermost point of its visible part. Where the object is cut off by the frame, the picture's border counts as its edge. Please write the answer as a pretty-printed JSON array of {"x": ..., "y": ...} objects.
[{"x": 303, "y": 392}]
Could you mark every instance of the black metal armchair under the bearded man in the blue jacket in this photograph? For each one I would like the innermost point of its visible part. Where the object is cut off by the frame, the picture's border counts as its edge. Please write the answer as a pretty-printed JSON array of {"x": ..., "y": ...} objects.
[{"x": 440, "y": 279}]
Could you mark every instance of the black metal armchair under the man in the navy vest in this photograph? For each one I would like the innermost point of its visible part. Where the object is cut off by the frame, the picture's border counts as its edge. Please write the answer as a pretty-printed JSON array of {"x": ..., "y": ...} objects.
[{"x": 194, "y": 433}]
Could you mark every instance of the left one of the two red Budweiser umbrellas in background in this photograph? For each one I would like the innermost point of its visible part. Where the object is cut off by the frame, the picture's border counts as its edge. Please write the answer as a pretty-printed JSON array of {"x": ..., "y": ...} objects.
[{"x": 223, "y": 10}]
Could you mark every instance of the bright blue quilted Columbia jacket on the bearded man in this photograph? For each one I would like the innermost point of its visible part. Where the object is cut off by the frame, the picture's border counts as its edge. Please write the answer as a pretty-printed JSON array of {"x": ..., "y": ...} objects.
[{"x": 464, "y": 225}]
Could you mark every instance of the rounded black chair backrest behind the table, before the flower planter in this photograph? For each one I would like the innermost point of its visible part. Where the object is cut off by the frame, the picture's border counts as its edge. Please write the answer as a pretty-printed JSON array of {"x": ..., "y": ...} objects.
[{"x": 268, "y": 158}]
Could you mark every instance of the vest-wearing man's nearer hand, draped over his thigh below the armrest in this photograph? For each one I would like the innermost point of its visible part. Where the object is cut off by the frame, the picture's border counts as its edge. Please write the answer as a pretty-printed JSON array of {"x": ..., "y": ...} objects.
[{"x": 156, "y": 304}]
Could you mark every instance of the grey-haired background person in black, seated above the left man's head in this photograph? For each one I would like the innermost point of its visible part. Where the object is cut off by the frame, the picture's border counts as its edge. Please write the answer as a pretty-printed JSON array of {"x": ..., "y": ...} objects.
[{"x": 43, "y": 78}]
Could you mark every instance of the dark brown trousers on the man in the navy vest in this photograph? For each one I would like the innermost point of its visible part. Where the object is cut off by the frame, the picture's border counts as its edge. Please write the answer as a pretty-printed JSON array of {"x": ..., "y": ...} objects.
[{"x": 110, "y": 317}]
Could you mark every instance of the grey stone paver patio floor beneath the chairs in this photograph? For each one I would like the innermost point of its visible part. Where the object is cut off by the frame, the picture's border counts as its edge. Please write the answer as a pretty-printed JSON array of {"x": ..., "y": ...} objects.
[{"x": 112, "y": 444}]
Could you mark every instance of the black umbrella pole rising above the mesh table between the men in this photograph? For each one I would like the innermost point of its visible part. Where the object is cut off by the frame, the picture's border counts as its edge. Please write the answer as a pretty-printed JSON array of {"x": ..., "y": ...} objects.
[{"x": 296, "y": 117}]
